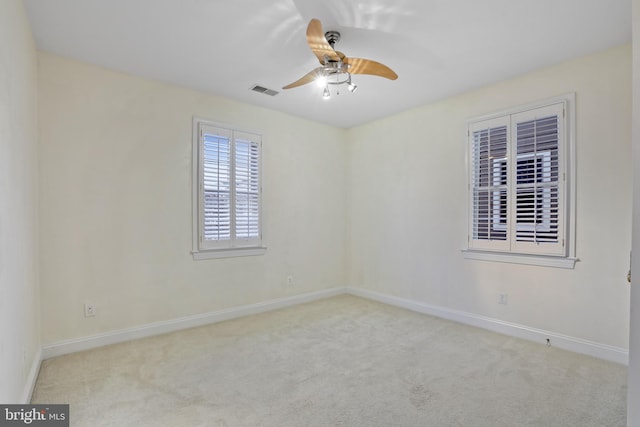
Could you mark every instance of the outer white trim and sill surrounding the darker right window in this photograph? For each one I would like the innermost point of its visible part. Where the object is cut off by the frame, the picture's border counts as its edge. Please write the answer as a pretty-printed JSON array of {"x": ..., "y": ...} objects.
[{"x": 569, "y": 259}]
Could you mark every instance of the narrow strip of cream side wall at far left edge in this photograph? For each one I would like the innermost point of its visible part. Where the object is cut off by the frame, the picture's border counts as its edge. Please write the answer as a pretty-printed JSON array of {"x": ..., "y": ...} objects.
[{"x": 19, "y": 306}]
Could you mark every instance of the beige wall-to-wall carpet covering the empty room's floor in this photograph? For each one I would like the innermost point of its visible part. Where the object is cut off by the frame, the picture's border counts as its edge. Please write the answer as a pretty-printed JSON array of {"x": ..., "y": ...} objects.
[{"x": 342, "y": 361}]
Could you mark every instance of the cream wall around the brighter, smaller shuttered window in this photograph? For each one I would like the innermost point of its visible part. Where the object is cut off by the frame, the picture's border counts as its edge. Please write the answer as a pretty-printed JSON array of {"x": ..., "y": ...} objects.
[{"x": 116, "y": 203}]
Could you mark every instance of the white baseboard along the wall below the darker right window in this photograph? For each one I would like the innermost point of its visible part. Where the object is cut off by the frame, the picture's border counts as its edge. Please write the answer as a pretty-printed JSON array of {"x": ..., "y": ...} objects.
[{"x": 577, "y": 345}]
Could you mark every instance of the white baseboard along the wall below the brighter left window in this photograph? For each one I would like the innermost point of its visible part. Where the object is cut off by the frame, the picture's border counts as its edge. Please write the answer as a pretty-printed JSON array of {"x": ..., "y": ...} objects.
[{"x": 158, "y": 328}]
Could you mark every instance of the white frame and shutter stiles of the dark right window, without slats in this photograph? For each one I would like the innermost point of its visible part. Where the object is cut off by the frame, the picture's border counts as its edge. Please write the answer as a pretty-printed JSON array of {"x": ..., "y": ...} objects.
[{"x": 510, "y": 252}]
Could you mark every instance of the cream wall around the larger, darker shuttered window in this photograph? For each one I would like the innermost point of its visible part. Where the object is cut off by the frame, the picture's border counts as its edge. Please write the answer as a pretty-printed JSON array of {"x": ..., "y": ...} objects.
[{"x": 407, "y": 212}]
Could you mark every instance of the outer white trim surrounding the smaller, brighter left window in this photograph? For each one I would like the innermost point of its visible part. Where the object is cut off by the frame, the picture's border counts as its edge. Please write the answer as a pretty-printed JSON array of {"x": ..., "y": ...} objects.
[{"x": 197, "y": 252}]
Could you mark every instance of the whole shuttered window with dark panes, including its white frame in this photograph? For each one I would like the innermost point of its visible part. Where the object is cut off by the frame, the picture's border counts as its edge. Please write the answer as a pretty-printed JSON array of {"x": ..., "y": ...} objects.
[{"x": 520, "y": 181}]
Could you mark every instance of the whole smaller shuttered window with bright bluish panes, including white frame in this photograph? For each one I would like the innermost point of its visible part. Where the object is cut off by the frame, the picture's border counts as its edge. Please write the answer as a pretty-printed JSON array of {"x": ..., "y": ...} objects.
[{"x": 227, "y": 191}]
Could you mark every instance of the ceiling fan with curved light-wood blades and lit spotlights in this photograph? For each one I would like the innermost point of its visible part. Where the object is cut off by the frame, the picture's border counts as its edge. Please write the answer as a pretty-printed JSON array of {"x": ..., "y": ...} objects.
[{"x": 336, "y": 68}]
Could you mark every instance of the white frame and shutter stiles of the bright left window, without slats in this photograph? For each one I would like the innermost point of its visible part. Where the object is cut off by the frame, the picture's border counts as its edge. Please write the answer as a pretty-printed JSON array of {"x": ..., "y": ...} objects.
[{"x": 233, "y": 247}]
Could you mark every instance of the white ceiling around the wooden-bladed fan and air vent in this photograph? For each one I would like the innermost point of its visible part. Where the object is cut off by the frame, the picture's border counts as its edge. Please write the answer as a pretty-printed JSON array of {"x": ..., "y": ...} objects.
[{"x": 438, "y": 47}]
